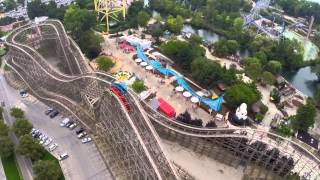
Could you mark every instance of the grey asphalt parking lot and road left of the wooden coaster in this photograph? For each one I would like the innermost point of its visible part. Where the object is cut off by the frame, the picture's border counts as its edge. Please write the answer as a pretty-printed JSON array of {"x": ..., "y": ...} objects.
[{"x": 84, "y": 162}]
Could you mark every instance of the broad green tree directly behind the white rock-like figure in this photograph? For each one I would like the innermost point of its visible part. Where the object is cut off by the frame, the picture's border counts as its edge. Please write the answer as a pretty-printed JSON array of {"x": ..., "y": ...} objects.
[{"x": 242, "y": 93}]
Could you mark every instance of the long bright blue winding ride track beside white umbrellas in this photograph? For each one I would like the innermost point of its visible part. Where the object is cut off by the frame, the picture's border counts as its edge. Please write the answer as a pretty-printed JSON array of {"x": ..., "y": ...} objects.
[{"x": 214, "y": 104}]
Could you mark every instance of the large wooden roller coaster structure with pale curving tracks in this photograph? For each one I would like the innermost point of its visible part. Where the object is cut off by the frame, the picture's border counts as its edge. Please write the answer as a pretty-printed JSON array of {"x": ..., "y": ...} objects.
[{"x": 45, "y": 60}]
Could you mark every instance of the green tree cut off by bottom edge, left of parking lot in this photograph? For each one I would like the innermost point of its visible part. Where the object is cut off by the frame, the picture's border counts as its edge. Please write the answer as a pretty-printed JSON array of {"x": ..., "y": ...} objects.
[{"x": 47, "y": 170}]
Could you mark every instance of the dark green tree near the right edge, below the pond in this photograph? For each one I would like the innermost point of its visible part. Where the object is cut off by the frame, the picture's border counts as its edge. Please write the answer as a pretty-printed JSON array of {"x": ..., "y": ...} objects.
[{"x": 305, "y": 117}]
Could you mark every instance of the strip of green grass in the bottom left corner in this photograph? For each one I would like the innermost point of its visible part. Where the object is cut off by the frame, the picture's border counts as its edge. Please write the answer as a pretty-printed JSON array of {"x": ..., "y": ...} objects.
[{"x": 11, "y": 168}]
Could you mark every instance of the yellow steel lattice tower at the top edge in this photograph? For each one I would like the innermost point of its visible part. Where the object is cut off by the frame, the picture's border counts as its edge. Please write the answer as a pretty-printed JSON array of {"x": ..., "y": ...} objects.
[{"x": 110, "y": 9}]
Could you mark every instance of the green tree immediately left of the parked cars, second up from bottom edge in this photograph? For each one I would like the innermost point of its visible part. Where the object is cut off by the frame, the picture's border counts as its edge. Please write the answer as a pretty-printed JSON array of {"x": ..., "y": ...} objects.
[{"x": 30, "y": 148}]
